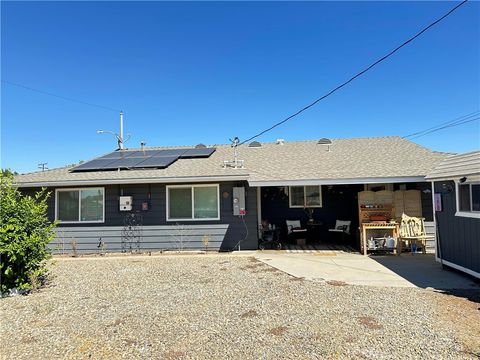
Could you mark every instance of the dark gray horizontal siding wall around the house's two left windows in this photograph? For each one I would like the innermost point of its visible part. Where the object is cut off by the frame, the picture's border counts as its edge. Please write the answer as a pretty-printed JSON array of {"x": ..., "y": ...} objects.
[{"x": 156, "y": 230}]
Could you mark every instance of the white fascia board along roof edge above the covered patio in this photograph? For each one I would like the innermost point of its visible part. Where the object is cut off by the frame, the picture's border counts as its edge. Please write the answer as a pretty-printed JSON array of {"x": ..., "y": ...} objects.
[{"x": 375, "y": 180}]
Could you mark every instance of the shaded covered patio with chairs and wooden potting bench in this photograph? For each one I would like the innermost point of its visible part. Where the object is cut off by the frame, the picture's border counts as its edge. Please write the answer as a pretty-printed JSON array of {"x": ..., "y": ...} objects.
[{"x": 336, "y": 216}]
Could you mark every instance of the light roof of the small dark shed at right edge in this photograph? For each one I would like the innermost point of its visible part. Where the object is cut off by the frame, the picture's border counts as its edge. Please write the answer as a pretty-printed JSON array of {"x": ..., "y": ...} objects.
[{"x": 456, "y": 166}]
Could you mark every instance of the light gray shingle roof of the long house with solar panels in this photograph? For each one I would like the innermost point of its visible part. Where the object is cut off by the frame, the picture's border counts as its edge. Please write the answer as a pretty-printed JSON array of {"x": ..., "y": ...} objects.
[{"x": 344, "y": 160}]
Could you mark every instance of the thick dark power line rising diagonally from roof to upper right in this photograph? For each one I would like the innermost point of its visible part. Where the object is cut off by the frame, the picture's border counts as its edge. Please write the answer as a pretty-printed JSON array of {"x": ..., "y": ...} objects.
[{"x": 357, "y": 75}]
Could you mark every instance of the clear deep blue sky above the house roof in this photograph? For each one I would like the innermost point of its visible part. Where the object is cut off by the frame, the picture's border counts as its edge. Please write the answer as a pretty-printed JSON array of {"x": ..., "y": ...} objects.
[{"x": 186, "y": 73}]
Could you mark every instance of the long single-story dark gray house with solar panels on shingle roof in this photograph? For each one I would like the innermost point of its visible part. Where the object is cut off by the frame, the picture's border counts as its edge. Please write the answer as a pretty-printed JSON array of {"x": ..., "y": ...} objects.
[{"x": 218, "y": 196}]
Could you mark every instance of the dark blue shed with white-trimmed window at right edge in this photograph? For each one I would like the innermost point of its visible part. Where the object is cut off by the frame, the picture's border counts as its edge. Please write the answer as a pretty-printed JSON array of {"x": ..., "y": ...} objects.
[{"x": 456, "y": 183}]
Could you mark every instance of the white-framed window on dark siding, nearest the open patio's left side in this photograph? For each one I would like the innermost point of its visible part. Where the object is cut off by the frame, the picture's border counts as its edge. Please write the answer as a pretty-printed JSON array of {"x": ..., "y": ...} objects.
[{"x": 193, "y": 202}]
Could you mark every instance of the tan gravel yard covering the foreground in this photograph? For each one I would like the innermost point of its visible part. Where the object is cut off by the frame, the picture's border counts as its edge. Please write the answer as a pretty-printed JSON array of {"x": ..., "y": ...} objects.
[{"x": 227, "y": 306}]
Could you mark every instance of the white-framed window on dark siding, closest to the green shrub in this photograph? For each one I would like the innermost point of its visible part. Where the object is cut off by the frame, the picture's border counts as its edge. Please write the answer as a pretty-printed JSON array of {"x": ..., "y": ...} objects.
[{"x": 80, "y": 205}]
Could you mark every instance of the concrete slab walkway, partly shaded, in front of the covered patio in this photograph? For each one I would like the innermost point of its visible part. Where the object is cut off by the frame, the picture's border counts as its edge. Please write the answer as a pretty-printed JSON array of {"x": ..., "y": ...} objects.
[{"x": 354, "y": 269}]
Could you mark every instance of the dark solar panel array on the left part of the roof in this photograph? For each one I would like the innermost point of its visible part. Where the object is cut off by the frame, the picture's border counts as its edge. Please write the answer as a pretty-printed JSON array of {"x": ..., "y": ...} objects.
[{"x": 142, "y": 159}]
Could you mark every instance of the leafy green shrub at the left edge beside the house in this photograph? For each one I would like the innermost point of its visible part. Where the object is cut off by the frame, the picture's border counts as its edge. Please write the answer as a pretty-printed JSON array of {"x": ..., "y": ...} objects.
[{"x": 25, "y": 232}]
